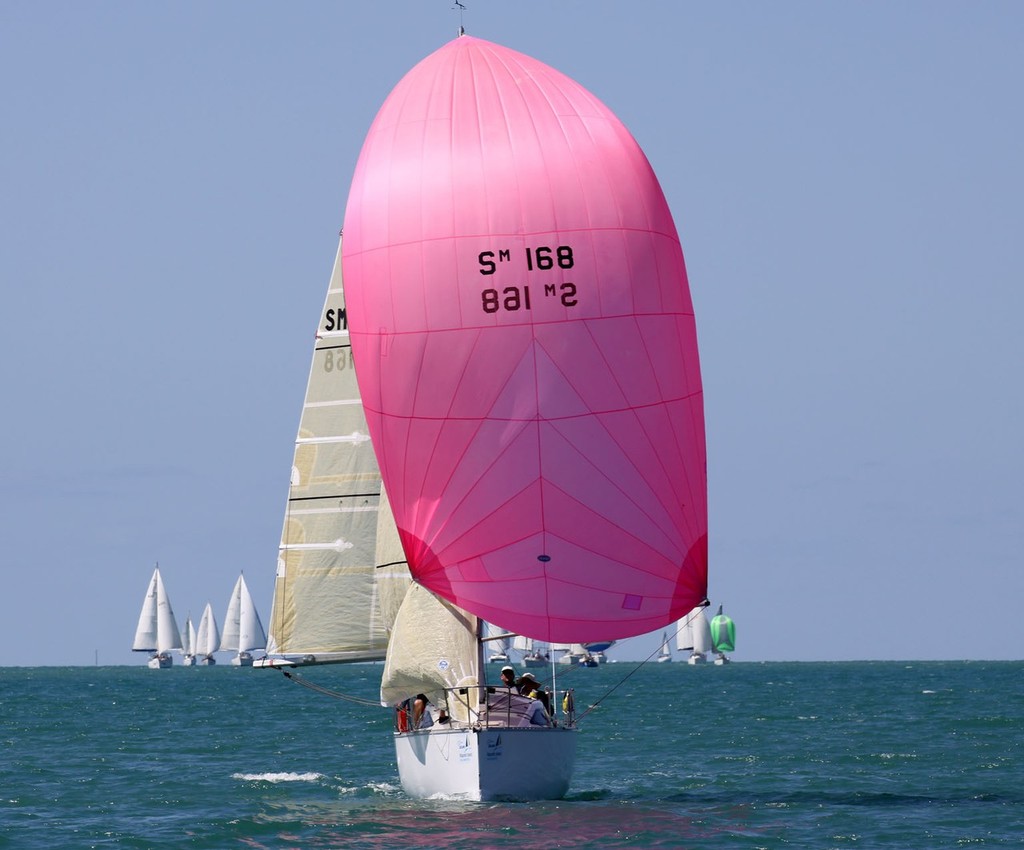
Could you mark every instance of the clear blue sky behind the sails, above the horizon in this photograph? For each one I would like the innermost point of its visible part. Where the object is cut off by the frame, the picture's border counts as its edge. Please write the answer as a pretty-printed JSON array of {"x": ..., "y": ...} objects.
[{"x": 848, "y": 185}]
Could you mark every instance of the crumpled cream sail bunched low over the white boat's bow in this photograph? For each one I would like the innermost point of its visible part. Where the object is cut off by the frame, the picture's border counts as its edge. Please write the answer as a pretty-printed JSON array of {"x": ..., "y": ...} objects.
[{"x": 434, "y": 648}]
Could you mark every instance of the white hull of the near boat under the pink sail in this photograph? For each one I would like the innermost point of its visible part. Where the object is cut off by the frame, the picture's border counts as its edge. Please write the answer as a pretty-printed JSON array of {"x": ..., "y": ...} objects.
[{"x": 486, "y": 764}]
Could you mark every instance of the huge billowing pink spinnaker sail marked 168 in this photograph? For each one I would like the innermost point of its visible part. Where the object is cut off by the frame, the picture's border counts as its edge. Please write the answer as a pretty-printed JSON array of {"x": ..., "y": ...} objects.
[{"x": 527, "y": 350}]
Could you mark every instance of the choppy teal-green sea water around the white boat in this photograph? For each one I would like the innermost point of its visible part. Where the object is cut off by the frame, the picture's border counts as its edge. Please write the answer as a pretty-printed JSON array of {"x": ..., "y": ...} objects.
[{"x": 874, "y": 755}]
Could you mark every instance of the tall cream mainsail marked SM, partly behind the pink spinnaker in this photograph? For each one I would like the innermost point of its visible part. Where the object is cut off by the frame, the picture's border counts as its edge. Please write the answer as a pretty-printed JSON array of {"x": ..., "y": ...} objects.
[{"x": 326, "y": 594}]
